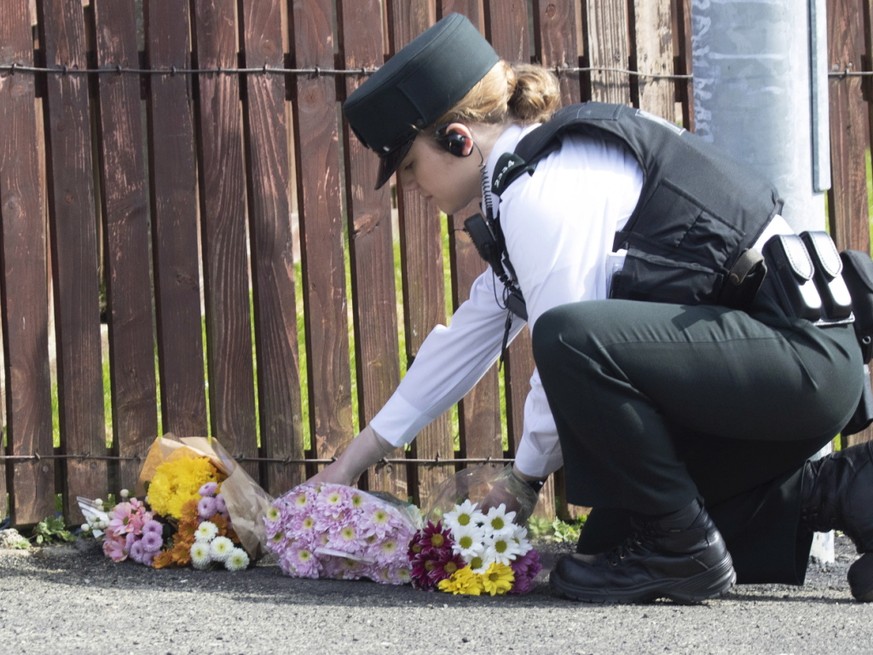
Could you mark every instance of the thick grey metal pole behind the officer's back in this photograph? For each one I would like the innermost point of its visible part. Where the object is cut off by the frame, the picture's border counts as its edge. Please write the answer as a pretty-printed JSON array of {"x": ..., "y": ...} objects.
[{"x": 760, "y": 92}]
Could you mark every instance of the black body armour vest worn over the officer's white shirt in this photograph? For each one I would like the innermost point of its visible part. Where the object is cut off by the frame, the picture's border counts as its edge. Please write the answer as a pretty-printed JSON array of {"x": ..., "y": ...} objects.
[{"x": 689, "y": 240}]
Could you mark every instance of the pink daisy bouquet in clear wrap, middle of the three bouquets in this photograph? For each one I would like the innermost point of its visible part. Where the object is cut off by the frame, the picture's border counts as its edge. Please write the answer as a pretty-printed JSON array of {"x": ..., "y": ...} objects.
[{"x": 336, "y": 531}]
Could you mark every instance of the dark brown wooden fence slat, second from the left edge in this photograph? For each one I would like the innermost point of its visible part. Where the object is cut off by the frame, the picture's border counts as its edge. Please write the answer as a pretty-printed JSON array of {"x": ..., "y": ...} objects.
[{"x": 74, "y": 252}]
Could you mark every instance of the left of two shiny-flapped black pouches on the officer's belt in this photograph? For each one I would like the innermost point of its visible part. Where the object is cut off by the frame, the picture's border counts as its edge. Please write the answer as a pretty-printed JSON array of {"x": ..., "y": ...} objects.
[{"x": 791, "y": 271}]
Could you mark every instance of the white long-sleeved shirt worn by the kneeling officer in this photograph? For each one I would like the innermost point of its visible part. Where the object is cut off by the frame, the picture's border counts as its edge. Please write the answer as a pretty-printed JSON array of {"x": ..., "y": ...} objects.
[{"x": 559, "y": 225}]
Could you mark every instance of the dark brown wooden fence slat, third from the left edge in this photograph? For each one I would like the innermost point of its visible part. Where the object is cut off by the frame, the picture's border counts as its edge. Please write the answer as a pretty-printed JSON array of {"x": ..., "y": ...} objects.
[{"x": 131, "y": 342}]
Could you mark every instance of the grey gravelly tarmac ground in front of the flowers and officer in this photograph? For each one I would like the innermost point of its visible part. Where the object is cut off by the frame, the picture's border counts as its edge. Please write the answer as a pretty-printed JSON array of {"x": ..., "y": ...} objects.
[{"x": 71, "y": 599}]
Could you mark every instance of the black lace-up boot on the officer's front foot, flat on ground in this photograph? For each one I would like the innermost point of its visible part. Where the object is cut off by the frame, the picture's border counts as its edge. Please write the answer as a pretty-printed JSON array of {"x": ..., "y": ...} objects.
[{"x": 681, "y": 556}]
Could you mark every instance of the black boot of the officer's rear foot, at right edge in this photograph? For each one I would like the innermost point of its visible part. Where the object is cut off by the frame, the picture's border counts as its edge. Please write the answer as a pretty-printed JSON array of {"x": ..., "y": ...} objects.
[{"x": 837, "y": 494}]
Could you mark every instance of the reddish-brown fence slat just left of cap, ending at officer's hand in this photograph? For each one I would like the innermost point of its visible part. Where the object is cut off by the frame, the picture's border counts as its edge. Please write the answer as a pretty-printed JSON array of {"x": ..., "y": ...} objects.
[{"x": 316, "y": 133}]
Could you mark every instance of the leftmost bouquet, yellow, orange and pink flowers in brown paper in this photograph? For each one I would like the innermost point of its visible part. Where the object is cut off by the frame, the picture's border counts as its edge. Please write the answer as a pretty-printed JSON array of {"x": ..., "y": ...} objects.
[{"x": 196, "y": 510}]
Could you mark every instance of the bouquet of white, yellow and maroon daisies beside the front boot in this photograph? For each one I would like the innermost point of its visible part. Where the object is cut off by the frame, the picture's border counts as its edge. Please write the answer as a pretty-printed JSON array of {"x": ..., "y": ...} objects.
[{"x": 472, "y": 552}]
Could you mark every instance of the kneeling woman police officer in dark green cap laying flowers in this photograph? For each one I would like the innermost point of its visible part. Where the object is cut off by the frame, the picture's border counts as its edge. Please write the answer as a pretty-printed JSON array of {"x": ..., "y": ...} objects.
[{"x": 687, "y": 426}]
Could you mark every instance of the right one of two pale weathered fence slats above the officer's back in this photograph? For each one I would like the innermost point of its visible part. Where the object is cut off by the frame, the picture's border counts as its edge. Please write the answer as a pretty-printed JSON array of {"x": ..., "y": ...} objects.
[{"x": 653, "y": 55}]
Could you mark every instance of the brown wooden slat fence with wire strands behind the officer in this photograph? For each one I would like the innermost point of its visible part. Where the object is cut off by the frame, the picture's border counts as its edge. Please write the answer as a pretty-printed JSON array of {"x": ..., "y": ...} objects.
[{"x": 161, "y": 164}]
